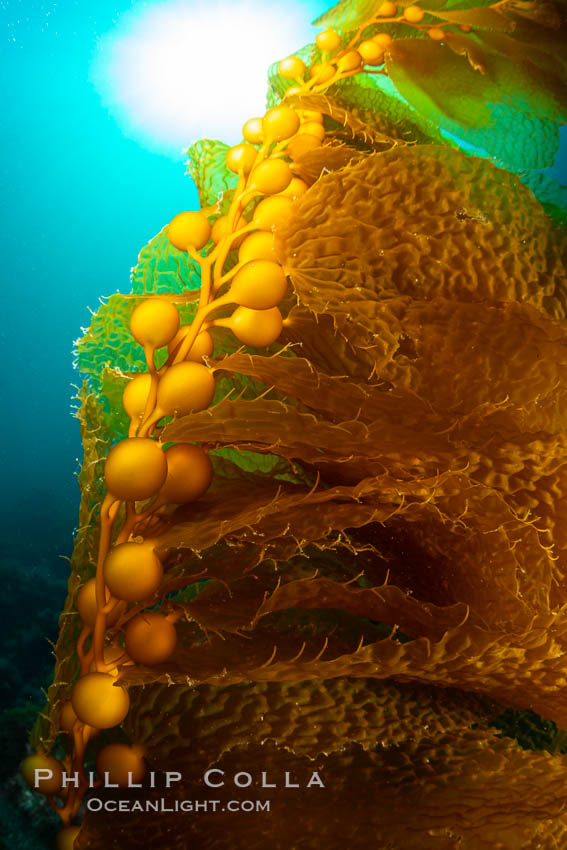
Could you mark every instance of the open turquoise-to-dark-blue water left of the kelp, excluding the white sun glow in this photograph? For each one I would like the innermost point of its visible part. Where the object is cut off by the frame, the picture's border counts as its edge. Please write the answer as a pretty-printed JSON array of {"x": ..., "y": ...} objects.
[{"x": 83, "y": 198}]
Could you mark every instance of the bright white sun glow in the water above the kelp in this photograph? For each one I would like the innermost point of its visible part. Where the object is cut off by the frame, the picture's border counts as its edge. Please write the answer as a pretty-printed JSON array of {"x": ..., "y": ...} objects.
[{"x": 179, "y": 71}]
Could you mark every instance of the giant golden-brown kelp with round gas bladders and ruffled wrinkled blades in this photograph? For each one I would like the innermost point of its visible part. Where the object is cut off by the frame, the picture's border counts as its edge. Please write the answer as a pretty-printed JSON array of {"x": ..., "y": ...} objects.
[{"x": 323, "y": 517}]
